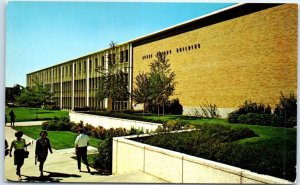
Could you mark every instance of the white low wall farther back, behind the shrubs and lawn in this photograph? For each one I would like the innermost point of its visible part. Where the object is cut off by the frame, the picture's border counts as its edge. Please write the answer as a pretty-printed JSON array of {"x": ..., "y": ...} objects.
[{"x": 108, "y": 122}]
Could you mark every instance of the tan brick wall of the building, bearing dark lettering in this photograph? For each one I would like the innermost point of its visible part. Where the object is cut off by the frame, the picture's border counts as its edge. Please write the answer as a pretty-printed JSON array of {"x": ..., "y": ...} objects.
[{"x": 252, "y": 57}]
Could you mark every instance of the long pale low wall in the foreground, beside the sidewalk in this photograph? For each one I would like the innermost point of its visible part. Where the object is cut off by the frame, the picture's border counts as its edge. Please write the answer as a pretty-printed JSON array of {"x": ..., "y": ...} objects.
[{"x": 175, "y": 167}]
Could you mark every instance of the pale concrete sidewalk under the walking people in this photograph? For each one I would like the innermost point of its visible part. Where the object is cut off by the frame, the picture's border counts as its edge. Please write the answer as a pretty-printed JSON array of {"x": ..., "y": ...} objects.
[{"x": 61, "y": 167}]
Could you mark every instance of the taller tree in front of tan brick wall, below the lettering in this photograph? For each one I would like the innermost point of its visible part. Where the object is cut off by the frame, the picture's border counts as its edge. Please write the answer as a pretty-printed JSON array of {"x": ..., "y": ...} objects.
[{"x": 162, "y": 80}]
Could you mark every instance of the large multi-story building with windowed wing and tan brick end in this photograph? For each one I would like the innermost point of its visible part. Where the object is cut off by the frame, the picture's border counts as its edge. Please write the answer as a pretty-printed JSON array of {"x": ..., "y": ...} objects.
[{"x": 244, "y": 52}]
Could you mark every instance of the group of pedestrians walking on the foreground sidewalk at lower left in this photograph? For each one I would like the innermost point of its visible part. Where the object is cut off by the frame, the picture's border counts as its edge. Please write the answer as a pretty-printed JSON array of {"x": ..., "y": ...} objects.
[{"x": 41, "y": 150}]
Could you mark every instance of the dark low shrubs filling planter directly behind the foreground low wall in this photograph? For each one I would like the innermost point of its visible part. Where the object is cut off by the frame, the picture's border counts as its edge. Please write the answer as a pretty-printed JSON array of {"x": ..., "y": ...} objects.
[{"x": 219, "y": 143}]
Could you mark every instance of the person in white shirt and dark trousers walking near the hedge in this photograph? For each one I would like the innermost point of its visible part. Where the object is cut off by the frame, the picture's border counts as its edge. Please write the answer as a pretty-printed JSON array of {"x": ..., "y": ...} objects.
[{"x": 81, "y": 143}]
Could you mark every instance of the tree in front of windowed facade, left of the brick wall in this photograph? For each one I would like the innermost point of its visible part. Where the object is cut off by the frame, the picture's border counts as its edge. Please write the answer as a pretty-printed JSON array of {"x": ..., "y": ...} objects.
[{"x": 113, "y": 82}]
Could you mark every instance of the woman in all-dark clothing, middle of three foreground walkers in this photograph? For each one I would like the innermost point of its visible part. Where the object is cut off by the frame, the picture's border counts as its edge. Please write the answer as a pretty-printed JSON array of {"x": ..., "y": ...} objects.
[{"x": 41, "y": 150}]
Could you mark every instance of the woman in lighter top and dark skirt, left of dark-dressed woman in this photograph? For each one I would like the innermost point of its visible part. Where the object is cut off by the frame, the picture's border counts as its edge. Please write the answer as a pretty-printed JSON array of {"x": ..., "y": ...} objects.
[{"x": 19, "y": 144}]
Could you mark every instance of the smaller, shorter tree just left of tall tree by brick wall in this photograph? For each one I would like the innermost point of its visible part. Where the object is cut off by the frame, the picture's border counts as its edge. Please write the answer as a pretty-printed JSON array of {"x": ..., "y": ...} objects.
[{"x": 142, "y": 93}]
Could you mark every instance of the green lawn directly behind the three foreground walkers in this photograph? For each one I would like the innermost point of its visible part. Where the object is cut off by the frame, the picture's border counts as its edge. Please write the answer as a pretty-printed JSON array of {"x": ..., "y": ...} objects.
[{"x": 59, "y": 139}]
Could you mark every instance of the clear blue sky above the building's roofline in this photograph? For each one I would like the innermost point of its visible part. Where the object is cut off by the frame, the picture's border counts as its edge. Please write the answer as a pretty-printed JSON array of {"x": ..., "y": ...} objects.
[{"x": 43, "y": 34}]
